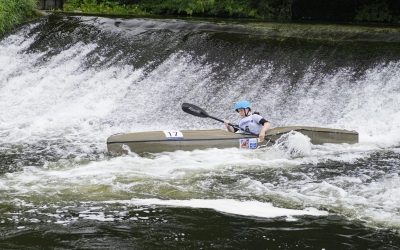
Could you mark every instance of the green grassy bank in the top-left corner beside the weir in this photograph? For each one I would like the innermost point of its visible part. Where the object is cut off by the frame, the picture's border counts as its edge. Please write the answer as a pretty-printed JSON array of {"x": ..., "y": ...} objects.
[{"x": 13, "y": 12}]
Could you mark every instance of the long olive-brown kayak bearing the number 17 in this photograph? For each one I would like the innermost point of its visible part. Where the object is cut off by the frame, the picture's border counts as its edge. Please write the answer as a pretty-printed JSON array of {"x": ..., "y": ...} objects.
[{"x": 167, "y": 141}]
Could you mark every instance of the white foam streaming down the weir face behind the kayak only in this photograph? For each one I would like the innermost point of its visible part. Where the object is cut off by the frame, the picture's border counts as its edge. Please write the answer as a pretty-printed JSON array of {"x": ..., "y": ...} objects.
[{"x": 59, "y": 98}]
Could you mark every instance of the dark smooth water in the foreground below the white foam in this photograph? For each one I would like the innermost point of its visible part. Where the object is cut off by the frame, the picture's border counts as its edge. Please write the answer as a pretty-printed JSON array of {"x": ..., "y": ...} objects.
[{"x": 202, "y": 229}]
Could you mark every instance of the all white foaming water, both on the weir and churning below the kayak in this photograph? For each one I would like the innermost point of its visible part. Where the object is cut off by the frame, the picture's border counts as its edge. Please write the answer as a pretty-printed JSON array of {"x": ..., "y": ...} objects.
[{"x": 60, "y": 100}]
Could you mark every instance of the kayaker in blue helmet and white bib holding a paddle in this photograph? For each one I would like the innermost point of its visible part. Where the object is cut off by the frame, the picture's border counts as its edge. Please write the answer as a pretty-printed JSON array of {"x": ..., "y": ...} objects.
[{"x": 253, "y": 123}]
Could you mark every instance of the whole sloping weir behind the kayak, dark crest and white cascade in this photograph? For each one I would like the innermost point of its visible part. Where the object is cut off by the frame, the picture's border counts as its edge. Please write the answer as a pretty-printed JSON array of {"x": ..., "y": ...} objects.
[{"x": 153, "y": 66}]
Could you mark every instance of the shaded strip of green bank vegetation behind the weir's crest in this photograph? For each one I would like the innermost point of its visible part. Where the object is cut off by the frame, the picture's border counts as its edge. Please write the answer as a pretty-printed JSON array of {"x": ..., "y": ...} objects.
[{"x": 338, "y": 11}]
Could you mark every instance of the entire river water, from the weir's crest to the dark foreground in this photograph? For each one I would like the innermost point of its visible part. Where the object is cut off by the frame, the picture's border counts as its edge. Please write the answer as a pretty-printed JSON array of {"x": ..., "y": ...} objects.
[{"x": 67, "y": 83}]
